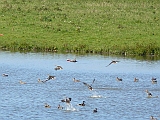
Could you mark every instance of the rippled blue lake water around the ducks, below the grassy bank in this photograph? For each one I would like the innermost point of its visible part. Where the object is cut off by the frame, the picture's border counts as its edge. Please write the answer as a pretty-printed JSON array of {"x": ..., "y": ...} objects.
[{"x": 115, "y": 100}]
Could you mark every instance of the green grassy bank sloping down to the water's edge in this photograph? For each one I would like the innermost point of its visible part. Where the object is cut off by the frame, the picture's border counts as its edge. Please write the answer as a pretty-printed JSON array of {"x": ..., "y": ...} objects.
[{"x": 99, "y": 26}]
